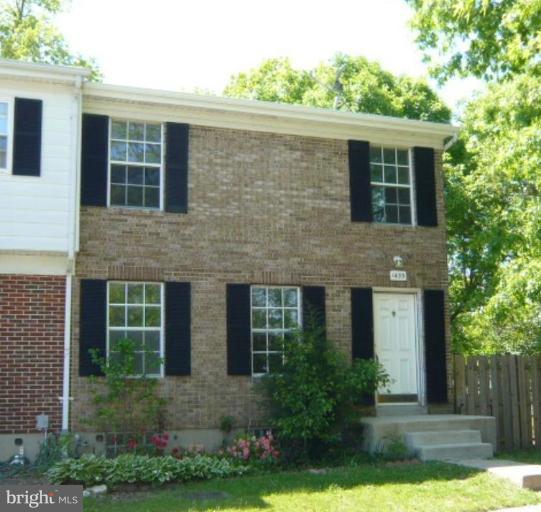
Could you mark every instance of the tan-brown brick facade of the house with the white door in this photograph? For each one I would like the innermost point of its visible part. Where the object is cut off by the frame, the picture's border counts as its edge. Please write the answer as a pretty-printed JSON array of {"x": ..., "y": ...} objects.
[{"x": 263, "y": 208}]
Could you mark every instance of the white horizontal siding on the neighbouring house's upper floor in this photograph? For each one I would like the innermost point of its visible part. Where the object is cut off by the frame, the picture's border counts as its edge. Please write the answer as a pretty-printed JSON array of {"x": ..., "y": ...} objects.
[{"x": 36, "y": 212}]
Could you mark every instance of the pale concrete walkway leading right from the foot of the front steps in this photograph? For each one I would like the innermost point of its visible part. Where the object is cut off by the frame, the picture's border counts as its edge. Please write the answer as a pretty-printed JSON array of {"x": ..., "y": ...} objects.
[{"x": 527, "y": 476}]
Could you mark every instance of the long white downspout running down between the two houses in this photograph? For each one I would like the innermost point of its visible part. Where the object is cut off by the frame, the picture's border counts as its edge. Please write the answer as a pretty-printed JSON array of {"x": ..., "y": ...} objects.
[{"x": 73, "y": 241}]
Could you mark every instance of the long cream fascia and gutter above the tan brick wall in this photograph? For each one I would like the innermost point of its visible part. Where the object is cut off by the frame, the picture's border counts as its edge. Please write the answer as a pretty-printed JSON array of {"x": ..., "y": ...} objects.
[{"x": 255, "y": 115}]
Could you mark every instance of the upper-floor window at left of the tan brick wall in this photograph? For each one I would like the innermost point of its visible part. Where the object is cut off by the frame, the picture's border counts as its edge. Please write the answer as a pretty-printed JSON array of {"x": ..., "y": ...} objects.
[{"x": 135, "y": 164}]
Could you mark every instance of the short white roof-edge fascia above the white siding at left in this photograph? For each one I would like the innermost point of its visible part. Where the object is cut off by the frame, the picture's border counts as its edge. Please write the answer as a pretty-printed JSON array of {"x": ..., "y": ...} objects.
[{"x": 48, "y": 73}]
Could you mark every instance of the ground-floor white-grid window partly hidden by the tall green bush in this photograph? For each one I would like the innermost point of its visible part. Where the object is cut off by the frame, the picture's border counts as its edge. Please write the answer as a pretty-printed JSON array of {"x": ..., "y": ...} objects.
[{"x": 276, "y": 312}]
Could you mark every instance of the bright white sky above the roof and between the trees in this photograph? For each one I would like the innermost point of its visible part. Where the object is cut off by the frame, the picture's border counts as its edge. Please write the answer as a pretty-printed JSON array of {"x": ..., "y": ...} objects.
[{"x": 199, "y": 44}]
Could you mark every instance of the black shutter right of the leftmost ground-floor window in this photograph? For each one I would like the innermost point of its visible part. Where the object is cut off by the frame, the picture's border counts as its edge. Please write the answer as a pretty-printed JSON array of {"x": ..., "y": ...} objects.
[{"x": 177, "y": 328}]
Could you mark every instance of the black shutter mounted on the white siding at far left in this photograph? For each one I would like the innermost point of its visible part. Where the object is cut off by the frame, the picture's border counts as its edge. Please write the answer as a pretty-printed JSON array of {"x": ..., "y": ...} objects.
[{"x": 27, "y": 137}]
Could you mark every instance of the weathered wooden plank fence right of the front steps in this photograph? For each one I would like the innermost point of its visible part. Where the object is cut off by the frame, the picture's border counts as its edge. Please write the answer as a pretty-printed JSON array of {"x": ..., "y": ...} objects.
[{"x": 507, "y": 387}]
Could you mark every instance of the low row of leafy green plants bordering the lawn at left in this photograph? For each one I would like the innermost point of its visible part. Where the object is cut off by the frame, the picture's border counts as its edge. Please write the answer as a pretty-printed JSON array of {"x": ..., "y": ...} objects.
[{"x": 141, "y": 469}]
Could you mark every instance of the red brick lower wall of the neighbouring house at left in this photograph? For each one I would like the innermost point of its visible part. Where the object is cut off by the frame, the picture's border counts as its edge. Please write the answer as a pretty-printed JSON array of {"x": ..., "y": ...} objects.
[{"x": 31, "y": 351}]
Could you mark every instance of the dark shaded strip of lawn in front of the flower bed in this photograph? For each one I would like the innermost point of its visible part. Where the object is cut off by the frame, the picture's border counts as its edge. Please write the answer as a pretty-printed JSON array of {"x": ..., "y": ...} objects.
[{"x": 250, "y": 491}]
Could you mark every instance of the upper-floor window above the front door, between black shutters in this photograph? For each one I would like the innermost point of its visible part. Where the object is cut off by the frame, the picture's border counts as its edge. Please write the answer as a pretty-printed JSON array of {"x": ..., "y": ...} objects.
[{"x": 390, "y": 171}]
